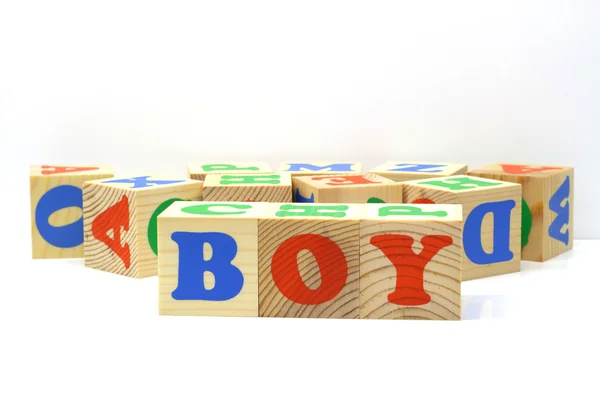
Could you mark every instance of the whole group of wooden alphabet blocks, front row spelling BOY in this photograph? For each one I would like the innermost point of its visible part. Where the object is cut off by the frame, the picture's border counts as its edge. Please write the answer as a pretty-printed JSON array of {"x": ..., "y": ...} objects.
[{"x": 394, "y": 243}]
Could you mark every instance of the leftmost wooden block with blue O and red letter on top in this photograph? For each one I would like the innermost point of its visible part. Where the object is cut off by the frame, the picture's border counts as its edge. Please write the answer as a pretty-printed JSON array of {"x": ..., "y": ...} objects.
[{"x": 56, "y": 208}]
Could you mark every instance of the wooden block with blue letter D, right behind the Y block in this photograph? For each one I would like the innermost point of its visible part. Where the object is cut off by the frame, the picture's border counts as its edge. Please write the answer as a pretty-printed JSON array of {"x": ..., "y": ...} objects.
[{"x": 491, "y": 215}]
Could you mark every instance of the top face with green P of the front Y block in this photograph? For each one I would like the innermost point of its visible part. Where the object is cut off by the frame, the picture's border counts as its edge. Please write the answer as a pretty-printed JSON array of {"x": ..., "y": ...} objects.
[{"x": 414, "y": 212}]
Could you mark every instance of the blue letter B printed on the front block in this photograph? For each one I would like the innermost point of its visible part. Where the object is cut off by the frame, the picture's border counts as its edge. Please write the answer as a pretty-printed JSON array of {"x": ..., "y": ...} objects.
[{"x": 229, "y": 280}]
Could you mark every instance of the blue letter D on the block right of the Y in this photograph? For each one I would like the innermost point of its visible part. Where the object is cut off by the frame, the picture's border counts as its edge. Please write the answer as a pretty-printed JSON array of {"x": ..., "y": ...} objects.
[{"x": 501, "y": 241}]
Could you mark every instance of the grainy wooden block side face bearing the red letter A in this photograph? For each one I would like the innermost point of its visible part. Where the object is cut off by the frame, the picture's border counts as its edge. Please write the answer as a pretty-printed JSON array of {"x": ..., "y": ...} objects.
[{"x": 110, "y": 229}]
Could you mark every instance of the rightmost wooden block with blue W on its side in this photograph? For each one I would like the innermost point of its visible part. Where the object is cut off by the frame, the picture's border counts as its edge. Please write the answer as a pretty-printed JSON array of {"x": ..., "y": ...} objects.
[{"x": 547, "y": 217}]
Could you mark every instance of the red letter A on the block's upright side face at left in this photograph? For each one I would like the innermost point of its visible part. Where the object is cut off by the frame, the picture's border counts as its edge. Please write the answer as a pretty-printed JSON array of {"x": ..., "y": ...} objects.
[{"x": 115, "y": 217}]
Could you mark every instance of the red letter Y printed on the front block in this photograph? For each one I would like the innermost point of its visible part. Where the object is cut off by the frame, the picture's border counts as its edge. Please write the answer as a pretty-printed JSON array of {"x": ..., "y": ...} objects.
[{"x": 409, "y": 266}]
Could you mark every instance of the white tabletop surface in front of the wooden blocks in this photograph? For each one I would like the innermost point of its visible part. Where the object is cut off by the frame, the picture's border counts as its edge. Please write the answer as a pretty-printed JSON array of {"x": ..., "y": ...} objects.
[{"x": 71, "y": 332}]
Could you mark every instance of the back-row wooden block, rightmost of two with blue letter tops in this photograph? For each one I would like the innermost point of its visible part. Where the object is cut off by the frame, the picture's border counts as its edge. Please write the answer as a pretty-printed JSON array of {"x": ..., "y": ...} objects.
[{"x": 401, "y": 171}]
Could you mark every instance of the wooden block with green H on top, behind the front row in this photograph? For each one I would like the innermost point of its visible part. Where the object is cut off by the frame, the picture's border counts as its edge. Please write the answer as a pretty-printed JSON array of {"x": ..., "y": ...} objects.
[{"x": 249, "y": 187}]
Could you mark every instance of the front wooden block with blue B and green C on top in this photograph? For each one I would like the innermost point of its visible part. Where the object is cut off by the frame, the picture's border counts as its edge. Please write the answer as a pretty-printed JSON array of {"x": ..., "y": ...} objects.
[{"x": 208, "y": 259}]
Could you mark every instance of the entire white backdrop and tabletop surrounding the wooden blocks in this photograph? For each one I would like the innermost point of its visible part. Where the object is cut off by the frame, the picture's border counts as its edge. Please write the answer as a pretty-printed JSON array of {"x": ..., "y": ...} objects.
[{"x": 149, "y": 86}]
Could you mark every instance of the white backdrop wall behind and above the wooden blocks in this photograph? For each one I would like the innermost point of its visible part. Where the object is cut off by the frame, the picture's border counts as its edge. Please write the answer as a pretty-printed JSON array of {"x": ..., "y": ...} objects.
[{"x": 148, "y": 86}]
